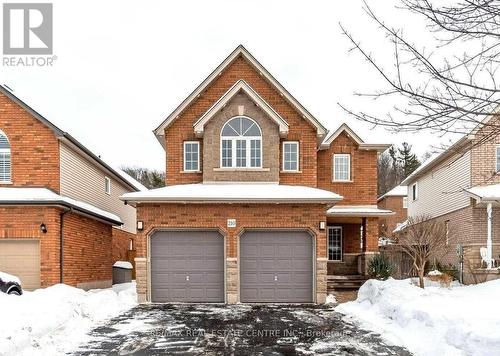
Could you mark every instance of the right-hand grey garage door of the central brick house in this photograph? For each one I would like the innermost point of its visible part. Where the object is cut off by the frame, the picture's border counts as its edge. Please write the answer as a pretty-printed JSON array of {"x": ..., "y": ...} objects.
[{"x": 276, "y": 266}]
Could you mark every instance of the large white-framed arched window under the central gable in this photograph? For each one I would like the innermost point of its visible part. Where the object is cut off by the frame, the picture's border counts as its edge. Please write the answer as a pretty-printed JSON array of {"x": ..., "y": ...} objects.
[{"x": 241, "y": 144}]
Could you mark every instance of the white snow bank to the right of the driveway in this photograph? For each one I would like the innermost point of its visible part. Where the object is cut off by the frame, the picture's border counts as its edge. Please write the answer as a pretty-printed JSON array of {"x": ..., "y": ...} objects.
[{"x": 462, "y": 320}]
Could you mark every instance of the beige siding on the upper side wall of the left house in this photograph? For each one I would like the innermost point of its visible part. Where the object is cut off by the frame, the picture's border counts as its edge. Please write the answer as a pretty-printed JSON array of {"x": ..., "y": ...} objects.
[{"x": 82, "y": 180}]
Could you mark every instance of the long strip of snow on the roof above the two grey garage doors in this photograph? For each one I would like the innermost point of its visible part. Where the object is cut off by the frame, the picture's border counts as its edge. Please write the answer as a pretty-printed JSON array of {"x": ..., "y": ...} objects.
[{"x": 238, "y": 192}]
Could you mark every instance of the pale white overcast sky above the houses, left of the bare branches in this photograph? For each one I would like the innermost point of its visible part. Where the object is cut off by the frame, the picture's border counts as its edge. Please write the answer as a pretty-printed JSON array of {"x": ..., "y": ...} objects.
[{"x": 123, "y": 65}]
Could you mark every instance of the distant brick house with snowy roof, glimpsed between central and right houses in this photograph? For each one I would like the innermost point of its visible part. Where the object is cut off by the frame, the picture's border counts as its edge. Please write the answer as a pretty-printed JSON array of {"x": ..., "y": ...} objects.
[{"x": 395, "y": 200}]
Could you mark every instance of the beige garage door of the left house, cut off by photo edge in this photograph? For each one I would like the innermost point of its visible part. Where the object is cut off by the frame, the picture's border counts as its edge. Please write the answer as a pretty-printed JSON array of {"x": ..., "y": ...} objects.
[{"x": 21, "y": 257}]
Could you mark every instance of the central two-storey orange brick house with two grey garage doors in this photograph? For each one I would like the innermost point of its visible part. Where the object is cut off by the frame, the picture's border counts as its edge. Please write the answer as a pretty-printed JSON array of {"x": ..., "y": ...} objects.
[{"x": 261, "y": 203}]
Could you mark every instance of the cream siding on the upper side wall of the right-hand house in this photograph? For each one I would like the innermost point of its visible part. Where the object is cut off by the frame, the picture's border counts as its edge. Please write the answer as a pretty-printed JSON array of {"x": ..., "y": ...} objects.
[{"x": 440, "y": 191}]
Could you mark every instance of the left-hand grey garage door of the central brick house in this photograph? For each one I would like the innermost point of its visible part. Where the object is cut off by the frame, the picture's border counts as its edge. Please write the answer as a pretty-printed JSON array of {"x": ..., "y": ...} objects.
[{"x": 187, "y": 266}]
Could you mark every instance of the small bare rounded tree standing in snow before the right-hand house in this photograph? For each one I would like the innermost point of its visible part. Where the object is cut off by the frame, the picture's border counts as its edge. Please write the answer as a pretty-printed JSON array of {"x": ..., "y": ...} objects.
[{"x": 422, "y": 240}]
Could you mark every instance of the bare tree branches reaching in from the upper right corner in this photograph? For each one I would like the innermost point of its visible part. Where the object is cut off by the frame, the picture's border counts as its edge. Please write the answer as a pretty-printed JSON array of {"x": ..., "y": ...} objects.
[{"x": 449, "y": 86}]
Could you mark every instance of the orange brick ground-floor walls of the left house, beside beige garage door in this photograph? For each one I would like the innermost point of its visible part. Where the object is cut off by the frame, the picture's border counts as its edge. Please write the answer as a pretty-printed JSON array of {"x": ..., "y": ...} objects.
[{"x": 87, "y": 244}]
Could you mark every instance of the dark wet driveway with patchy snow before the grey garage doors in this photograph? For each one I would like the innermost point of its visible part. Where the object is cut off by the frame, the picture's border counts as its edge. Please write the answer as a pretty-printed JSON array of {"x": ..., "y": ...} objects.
[{"x": 187, "y": 329}]
